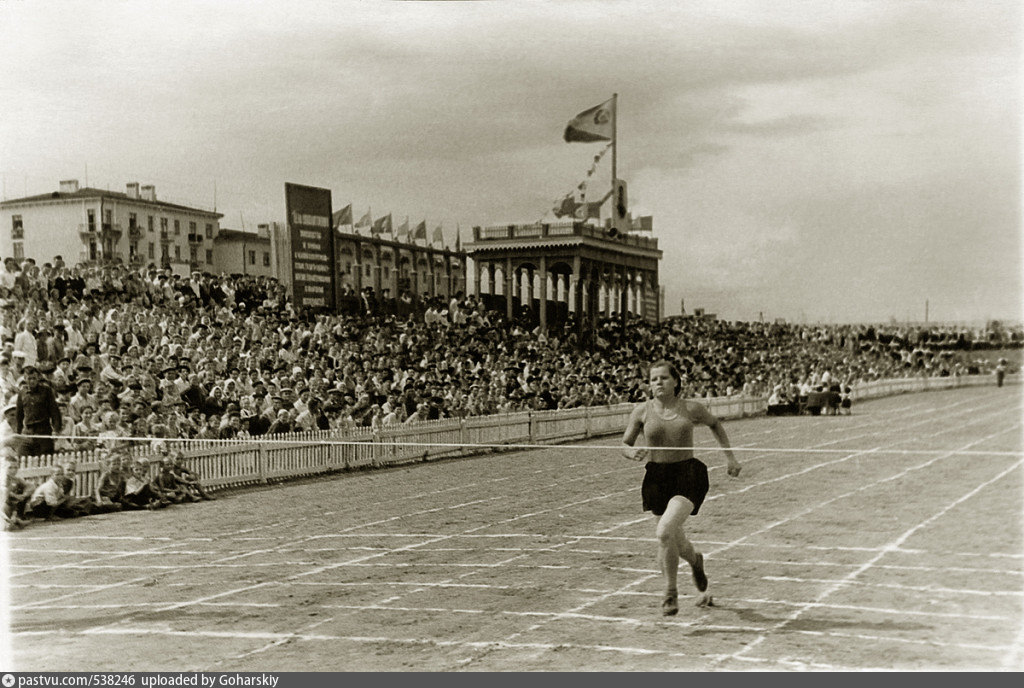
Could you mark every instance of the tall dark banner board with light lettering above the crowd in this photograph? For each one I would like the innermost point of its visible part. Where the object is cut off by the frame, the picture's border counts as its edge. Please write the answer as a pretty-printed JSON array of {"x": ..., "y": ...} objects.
[{"x": 311, "y": 228}]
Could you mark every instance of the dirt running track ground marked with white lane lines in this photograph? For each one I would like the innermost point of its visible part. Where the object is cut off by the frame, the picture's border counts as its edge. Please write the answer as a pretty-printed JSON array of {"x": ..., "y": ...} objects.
[{"x": 891, "y": 540}]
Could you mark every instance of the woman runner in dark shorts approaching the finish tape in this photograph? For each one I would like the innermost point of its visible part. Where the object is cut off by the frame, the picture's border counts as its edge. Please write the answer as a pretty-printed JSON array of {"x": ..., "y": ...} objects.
[{"x": 676, "y": 484}]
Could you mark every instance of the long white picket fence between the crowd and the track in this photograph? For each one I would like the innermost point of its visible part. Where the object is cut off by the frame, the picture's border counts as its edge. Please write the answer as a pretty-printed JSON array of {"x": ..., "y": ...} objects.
[{"x": 259, "y": 461}]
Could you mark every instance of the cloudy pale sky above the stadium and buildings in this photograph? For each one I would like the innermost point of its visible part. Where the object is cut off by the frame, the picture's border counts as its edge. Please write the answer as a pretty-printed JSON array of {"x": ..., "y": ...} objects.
[{"x": 855, "y": 162}]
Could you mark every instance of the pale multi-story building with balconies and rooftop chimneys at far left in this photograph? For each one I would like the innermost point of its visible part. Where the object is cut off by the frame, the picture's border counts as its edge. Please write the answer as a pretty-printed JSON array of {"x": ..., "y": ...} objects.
[{"x": 99, "y": 227}]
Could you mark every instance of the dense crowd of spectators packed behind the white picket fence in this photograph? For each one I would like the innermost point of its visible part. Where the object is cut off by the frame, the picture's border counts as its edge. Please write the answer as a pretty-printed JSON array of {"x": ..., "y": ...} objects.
[{"x": 112, "y": 356}]
